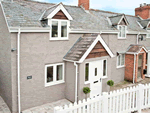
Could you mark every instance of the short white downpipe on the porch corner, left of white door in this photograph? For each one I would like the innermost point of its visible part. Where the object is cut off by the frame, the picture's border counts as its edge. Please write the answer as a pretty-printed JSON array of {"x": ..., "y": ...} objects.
[{"x": 76, "y": 82}]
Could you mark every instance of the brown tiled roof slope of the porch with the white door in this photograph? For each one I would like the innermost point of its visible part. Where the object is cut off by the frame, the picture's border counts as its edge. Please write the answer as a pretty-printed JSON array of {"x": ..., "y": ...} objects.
[{"x": 79, "y": 48}]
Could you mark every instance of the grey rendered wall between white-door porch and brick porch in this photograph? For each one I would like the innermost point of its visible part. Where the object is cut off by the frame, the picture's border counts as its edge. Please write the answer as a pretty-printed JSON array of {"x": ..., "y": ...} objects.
[{"x": 118, "y": 45}]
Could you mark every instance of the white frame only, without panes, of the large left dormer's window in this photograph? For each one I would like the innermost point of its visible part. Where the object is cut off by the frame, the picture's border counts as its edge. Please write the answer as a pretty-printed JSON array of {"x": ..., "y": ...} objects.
[{"x": 59, "y": 29}]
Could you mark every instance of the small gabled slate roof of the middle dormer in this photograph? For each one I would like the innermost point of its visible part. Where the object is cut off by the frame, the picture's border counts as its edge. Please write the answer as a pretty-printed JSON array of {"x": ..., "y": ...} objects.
[{"x": 117, "y": 19}]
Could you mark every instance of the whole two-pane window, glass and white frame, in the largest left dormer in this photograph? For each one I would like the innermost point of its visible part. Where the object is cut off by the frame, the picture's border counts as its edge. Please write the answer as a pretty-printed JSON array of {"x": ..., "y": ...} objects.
[{"x": 59, "y": 29}]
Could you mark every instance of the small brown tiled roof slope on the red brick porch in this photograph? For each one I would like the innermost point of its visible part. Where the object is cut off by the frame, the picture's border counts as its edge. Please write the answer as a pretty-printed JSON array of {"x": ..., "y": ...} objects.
[{"x": 135, "y": 48}]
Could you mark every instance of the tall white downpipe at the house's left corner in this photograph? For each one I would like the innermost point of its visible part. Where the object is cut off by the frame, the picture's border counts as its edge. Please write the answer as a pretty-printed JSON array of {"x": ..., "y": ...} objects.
[{"x": 18, "y": 64}]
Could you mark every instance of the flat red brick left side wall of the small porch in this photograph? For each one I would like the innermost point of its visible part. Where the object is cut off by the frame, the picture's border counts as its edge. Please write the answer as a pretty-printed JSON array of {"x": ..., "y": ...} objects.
[{"x": 129, "y": 66}]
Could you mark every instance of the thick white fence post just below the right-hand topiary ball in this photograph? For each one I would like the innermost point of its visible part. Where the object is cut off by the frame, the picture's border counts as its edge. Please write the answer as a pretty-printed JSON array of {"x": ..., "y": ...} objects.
[{"x": 105, "y": 102}]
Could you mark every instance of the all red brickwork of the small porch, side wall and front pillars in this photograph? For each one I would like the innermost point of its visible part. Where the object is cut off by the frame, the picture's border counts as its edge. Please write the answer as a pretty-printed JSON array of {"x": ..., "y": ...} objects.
[{"x": 129, "y": 65}]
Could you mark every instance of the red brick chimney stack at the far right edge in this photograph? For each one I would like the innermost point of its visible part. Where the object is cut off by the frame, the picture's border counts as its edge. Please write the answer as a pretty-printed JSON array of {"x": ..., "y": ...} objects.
[{"x": 143, "y": 11}]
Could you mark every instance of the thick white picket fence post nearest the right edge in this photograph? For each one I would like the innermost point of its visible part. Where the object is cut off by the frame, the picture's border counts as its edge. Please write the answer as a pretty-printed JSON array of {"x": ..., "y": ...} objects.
[{"x": 140, "y": 98}]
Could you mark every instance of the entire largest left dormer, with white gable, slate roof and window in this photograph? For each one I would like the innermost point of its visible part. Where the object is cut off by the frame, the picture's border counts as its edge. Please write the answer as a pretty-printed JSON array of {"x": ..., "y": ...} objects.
[{"x": 59, "y": 22}]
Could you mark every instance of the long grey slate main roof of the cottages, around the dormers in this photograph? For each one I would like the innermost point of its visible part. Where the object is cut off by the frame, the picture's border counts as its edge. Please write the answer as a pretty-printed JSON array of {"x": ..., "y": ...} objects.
[{"x": 25, "y": 13}]
